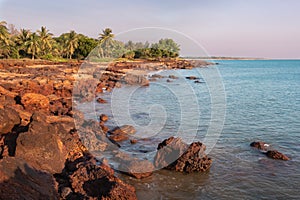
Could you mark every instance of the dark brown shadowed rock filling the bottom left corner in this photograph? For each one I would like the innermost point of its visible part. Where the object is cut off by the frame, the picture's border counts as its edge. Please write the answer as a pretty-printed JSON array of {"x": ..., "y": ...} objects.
[{"x": 18, "y": 180}]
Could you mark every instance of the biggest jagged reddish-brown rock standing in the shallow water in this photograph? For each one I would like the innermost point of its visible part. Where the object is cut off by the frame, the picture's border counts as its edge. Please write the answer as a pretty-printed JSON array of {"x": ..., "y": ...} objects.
[{"x": 174, "y": 154}]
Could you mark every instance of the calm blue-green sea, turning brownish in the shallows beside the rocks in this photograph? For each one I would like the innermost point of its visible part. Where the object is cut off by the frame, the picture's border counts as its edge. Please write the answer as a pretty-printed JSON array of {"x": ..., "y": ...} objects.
[{"x": 235, "y": 103}]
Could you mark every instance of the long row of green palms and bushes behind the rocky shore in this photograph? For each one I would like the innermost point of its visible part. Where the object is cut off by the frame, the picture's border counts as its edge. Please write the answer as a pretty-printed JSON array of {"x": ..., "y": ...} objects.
[{"x": 42, "y": 44}]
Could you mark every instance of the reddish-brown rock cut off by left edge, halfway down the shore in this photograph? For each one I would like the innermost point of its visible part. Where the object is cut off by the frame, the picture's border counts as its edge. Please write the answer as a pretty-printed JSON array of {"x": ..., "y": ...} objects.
[{"x": 8, "y": 118}]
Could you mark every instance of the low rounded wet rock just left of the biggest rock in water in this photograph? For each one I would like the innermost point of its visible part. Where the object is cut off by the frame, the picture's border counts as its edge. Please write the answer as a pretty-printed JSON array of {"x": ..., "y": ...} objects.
[{"x": 137, "y": 168}]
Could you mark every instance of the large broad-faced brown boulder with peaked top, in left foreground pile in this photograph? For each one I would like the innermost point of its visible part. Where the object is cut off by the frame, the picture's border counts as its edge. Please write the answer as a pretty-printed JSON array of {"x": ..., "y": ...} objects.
[{"x": 41, "y": 147}]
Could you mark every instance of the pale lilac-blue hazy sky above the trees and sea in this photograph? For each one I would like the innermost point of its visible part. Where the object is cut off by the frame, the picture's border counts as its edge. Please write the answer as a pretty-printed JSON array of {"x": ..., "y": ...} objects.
[{"x": 256, "y": 28}]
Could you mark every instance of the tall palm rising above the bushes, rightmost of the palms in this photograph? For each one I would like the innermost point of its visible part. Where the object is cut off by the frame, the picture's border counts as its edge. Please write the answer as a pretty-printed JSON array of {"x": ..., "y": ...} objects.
[{"x": 106, "y": 42}]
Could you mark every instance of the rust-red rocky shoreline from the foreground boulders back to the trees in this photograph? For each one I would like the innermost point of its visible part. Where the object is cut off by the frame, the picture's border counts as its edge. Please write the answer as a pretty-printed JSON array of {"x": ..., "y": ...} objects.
[{"x": 41, "y": 154}]
